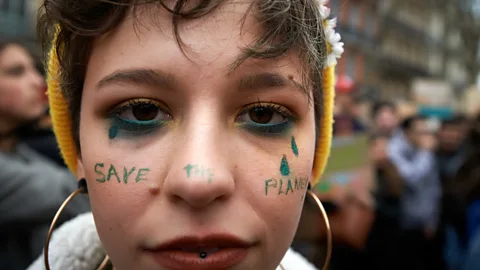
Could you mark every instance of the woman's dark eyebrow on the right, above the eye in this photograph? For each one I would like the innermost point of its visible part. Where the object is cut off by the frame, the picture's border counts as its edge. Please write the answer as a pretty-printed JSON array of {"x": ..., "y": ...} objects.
[{"x": 265, "y": 80}]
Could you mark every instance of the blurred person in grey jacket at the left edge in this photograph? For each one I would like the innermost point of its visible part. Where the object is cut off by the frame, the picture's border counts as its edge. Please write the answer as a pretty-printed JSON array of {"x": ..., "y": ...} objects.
[{"x": 32, "y": 187}]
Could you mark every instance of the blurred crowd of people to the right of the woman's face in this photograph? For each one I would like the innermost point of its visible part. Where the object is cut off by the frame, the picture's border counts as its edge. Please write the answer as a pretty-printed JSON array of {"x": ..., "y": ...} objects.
[{"x": 426, "y": 210}]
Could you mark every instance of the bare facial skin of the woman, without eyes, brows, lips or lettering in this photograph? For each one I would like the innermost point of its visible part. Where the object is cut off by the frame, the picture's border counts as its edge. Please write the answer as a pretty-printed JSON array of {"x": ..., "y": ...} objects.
[{"x": 204, "y": 104}]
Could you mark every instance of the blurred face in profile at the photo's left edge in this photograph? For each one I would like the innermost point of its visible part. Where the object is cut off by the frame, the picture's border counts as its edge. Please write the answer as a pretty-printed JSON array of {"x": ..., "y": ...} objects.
[{"x": 20, "y": 86}]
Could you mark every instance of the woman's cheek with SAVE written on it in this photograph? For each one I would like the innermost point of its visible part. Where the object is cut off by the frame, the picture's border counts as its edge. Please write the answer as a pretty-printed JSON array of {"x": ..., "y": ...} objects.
[{"x": 119, "y": 192}]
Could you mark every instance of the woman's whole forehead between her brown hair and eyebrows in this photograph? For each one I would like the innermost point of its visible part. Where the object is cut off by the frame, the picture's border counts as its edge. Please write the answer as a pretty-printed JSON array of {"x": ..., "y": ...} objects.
[{"x": 209, "y": 46}]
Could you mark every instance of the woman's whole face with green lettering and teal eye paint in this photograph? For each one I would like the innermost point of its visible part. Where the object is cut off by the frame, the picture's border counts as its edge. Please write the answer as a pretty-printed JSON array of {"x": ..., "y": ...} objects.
[{"x": 187, "y": 158}]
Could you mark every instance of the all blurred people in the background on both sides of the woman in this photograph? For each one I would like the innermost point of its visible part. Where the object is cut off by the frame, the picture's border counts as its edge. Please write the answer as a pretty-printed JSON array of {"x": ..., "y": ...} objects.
[{"x": 426, "y": 213}]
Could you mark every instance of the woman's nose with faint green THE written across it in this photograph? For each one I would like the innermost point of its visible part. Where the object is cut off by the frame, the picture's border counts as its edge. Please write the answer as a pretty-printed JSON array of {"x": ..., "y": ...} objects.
[{"x": 201, "y": 174}]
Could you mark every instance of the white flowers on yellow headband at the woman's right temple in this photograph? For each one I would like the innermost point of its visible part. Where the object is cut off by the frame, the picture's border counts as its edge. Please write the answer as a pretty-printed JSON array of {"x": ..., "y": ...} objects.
[{"x": 335, "y": 47}]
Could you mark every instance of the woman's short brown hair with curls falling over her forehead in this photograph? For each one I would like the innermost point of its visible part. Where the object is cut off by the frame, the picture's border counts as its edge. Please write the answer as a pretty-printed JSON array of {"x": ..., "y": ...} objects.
[{"x": 288, "y": 24}]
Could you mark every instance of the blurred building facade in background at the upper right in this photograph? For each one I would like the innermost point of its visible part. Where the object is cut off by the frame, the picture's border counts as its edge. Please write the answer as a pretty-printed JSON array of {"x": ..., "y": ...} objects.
[{"x": 389, "y": 44}]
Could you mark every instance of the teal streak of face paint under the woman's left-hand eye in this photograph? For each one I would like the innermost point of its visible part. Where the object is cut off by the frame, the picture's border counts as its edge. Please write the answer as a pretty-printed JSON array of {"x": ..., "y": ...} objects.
[{"x": 133, "y": 128}]
